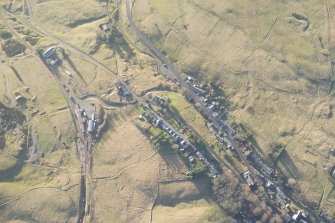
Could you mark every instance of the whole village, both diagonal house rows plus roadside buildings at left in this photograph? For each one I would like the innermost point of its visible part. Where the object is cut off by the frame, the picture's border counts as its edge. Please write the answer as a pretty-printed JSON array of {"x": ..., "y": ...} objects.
[{"x": 259, "y": 174}]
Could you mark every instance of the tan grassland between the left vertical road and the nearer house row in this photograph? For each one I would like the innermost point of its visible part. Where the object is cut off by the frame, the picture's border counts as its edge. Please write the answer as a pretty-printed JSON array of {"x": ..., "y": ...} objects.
[{"x": 128, "y": 173}]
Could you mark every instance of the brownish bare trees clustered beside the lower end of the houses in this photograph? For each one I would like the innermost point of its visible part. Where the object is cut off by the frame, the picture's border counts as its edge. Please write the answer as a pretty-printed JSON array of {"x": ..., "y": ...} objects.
[{"x": 237, "y": 200}]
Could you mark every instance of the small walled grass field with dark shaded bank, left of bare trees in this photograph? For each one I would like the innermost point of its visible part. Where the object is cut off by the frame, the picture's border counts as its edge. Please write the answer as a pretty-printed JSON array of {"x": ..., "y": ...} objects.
[{"x": 186, "y": 202}]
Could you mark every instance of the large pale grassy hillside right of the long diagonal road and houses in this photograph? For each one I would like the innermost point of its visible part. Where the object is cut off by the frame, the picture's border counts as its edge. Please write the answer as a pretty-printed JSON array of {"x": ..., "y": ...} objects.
[{"x": 273, "y": 60}]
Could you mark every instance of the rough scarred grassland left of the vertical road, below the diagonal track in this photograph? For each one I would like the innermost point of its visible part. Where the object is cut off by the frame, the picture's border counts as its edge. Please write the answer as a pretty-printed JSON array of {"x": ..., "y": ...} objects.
[{"x": 39, "y": 183}]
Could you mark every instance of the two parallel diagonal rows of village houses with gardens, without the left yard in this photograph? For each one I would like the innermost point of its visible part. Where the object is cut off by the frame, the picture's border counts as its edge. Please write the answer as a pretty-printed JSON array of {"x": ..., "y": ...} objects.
[{"x": 259, "y": 173}]
